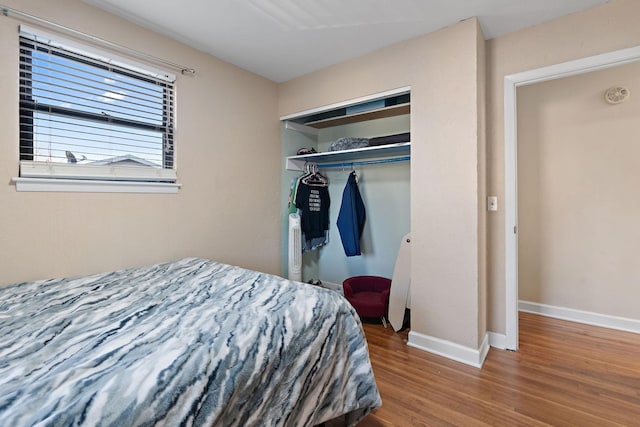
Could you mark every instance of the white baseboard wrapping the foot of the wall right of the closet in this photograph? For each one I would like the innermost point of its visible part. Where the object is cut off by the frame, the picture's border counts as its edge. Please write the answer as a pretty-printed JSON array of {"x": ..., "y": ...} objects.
[{"x": 450, "y": 350}]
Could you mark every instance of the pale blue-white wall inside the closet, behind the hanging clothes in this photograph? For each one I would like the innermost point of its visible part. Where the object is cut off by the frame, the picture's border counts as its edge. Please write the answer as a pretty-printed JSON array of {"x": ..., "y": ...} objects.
[{"x": 385, "y": 189}]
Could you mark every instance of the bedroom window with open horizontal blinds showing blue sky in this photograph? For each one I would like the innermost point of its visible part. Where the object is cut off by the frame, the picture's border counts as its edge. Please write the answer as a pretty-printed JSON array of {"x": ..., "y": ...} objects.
[{"x": 88, "y": 116}]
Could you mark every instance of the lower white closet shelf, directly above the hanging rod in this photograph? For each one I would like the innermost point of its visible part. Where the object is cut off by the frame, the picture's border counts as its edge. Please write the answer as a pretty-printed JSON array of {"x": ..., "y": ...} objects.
[{"x": 356, "y": 154}]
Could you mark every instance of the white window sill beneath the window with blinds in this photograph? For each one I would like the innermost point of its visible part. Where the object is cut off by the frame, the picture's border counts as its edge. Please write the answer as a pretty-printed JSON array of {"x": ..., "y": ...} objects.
[{"x": 92, "y": 186}]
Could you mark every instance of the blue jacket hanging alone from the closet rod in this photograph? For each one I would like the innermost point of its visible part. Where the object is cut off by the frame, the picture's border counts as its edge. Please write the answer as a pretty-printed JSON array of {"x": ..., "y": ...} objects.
[{"x": 351, "y": 217}]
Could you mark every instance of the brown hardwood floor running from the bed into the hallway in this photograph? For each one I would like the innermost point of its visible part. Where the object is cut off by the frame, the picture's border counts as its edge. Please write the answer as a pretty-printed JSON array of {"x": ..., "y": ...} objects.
[{"x": 565, "y": 374}]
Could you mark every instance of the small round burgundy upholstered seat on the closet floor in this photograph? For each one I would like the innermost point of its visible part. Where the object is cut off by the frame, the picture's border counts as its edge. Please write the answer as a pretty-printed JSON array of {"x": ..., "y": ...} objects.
[{"x": 369, "y": 295}]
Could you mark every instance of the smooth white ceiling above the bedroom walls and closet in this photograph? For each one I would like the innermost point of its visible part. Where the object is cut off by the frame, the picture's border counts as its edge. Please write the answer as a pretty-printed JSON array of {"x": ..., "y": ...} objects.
[{"x": 283, "y": 39}]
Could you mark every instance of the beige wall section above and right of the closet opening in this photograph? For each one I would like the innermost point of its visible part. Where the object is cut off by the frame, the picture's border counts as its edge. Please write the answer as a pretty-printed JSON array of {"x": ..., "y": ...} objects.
[{"x": 442, "y": 70}]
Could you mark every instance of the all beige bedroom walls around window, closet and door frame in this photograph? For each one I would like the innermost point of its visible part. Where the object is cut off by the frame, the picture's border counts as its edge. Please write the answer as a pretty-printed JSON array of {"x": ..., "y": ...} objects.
[{"x": 228, "y": 152}]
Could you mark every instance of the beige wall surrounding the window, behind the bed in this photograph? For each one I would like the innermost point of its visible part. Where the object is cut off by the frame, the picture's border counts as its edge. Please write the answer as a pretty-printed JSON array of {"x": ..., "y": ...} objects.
[{"x": 228, "y": 153}]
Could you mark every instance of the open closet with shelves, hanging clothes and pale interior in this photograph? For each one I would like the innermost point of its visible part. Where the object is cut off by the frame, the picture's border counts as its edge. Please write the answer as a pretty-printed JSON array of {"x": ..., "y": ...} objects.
[{"x": 366, "y": 140}]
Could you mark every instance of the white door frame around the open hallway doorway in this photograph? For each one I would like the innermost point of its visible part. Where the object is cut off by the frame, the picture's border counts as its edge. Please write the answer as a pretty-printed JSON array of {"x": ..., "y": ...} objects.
[{"x": 511, "y": 83}]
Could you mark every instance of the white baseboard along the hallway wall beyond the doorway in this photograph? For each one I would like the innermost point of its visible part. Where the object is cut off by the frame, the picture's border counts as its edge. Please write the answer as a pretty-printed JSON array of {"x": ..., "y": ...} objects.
[{"x": 590, "y": 318}]
